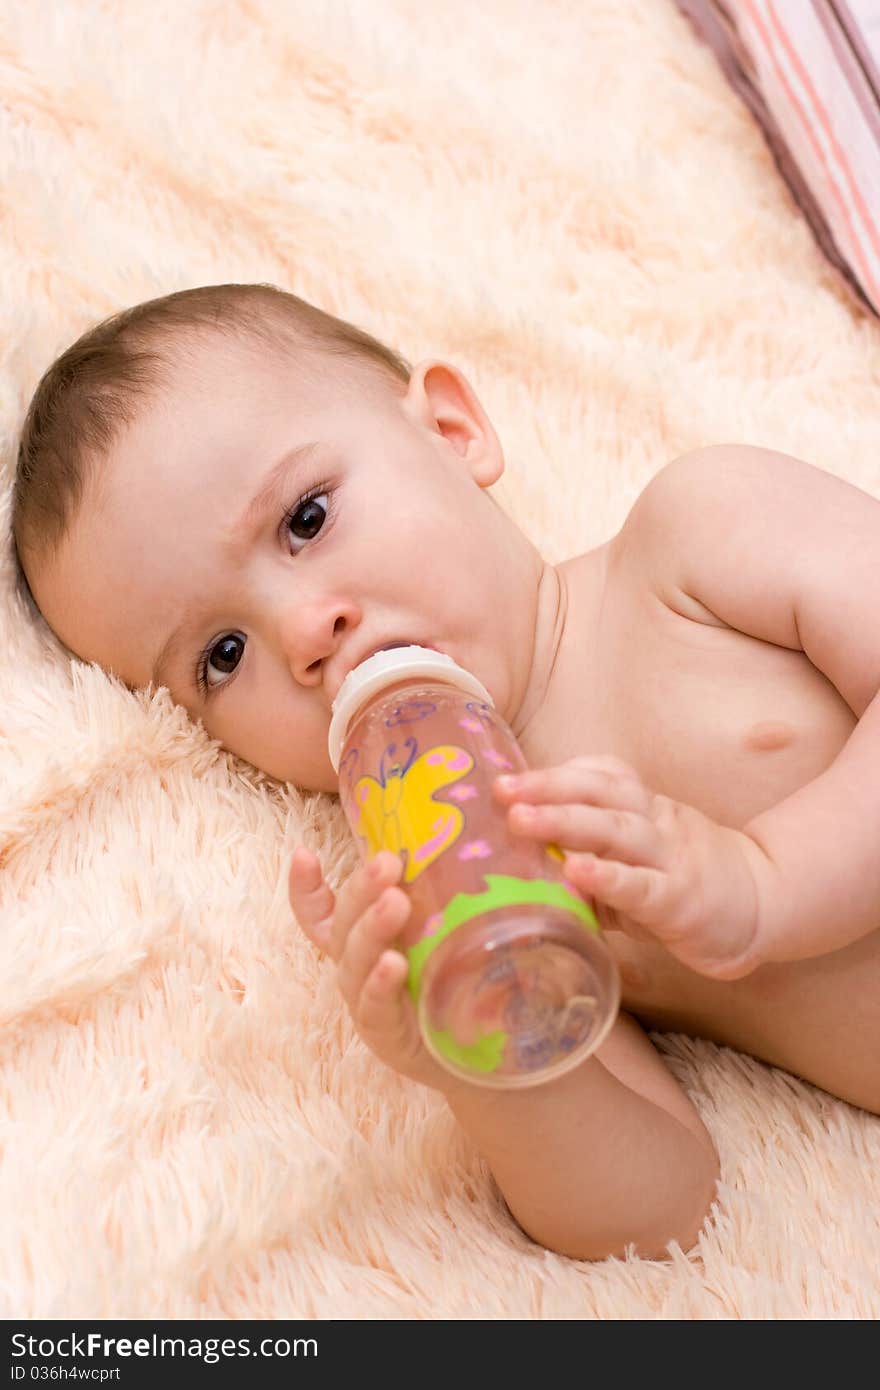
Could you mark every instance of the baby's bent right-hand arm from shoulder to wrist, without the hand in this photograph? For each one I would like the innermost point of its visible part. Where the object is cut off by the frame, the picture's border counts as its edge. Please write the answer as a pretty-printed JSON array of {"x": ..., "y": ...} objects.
[{"x": 789, "y": 554}]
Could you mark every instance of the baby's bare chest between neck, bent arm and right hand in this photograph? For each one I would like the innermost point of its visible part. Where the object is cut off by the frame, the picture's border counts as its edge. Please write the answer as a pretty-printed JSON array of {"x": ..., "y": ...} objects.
[{"x": 707, "y": 715}]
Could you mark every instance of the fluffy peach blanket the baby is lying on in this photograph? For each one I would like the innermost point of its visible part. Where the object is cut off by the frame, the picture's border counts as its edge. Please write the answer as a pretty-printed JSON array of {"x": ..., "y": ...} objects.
[{"x": 569, "y": 202}]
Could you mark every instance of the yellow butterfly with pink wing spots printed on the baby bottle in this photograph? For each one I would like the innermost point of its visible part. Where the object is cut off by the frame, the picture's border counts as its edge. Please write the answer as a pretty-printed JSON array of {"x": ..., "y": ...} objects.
[{"x": 398, "y": 811}]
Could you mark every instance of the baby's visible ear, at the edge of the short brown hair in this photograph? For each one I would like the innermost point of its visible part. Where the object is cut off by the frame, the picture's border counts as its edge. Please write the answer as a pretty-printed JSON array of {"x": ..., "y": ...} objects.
[{"x": 441, "y": 400}]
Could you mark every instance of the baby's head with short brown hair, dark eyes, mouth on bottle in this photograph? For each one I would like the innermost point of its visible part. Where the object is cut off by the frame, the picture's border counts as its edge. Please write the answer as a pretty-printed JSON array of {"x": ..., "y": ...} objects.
[{"x": 236, "y": 496}]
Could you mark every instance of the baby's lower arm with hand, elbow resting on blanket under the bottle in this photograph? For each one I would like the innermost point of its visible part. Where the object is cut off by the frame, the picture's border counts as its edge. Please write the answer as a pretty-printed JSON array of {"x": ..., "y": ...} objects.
[{"x": 612, "y": 1154}]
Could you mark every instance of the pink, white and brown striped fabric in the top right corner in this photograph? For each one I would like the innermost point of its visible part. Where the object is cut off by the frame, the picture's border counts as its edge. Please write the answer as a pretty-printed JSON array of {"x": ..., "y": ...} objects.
[{"x": 810, "y": 70}]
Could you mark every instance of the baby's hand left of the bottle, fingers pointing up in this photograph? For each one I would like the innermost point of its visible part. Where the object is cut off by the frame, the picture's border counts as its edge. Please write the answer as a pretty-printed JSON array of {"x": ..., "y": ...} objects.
[{"x": 358, "y": 931}]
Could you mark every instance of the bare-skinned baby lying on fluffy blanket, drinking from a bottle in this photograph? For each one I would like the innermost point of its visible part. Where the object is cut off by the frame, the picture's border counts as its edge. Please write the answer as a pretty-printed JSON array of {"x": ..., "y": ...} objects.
[{"x": 234, "y": 496}]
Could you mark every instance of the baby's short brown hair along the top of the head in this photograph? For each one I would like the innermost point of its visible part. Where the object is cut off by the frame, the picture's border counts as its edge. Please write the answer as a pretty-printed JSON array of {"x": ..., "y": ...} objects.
[{"x": 90, "y": 395}]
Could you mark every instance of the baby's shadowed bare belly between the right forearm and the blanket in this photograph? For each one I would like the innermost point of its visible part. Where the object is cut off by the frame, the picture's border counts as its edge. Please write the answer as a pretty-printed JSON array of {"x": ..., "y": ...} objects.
[{"x": 820, "y": 1018}]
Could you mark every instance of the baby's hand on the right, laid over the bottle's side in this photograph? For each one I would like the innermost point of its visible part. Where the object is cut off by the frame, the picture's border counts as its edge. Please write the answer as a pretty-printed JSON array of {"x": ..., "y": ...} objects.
[{"x": 667, "y": 872}]
